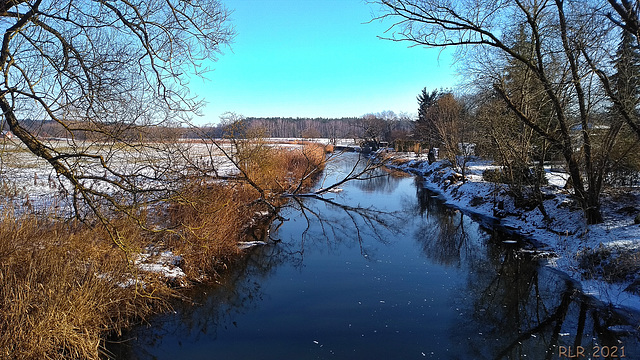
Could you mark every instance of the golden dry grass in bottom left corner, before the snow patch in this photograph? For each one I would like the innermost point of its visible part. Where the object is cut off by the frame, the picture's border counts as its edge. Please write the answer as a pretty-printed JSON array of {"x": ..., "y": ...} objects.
[{"x": 61, "y": 290}]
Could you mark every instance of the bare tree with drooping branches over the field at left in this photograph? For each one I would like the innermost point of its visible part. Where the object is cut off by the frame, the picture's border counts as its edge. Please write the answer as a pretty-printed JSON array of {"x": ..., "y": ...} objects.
[{"x": 107, "y": 73}]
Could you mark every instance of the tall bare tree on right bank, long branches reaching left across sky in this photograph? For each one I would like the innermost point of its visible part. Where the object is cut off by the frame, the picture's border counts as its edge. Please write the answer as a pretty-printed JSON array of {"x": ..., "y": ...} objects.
[{"x": 570, "y": 33}]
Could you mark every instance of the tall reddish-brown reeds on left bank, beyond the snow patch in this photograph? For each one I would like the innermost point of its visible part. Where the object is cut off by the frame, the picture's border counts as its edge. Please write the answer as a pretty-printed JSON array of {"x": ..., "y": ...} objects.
[{"x": 210, "y": 219}]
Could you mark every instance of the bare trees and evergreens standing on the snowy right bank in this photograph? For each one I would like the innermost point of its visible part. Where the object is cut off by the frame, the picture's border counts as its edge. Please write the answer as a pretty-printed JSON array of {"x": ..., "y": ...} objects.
[{"x": 546, "y": 81}]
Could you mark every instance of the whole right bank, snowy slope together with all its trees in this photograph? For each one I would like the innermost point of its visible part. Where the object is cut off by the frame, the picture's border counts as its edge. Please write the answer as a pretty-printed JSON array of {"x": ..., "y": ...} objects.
[{"x": 550, "y": 100}]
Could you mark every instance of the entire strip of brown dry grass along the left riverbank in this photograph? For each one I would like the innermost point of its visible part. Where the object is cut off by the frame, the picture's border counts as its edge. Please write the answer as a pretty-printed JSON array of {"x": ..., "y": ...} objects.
[{"x": 65, "y": 286}]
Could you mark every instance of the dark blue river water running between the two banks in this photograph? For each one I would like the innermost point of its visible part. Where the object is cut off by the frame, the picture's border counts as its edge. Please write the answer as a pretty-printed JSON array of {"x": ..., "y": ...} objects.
[{"x": 392, "y": 274}]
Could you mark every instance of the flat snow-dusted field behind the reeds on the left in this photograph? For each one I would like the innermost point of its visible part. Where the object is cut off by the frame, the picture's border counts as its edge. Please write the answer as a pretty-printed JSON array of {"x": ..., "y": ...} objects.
[{"x": 31, "y": 182}]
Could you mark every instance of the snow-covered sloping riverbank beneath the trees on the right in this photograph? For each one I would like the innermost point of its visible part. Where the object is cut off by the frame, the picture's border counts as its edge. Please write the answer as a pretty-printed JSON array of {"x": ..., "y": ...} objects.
[{"x": 603, "y": 258}]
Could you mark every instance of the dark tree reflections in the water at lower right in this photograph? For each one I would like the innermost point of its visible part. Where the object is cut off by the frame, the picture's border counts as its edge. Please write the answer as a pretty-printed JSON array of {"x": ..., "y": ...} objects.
[{"x": 524, "y": 310}]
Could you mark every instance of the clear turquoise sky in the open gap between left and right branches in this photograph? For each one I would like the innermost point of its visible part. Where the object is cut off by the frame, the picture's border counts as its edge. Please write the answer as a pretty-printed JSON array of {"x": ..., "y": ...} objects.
[{"x": 306, "y": 58}]
